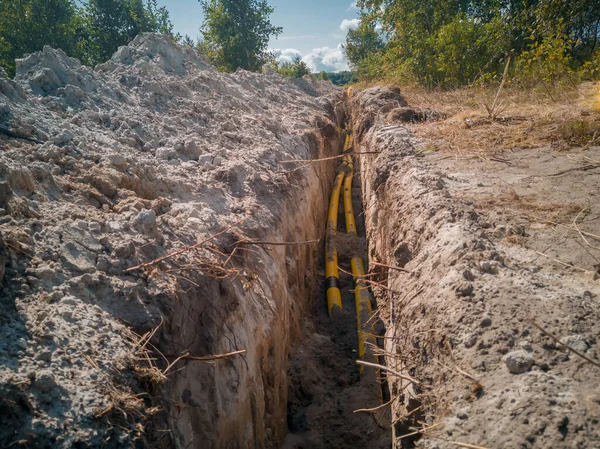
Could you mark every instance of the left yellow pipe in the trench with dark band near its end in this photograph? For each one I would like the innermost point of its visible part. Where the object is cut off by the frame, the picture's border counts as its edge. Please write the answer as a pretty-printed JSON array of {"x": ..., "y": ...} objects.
[{"x": 334, "y": 295}]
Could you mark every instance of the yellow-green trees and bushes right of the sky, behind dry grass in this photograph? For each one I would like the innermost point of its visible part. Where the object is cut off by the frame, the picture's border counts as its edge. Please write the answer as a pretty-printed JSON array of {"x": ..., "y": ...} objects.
[{"x": 459, "y": 42}]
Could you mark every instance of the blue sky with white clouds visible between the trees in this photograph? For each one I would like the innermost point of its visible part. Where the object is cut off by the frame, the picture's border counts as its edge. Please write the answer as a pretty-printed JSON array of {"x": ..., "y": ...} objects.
[{"x": 312, "y": 29}]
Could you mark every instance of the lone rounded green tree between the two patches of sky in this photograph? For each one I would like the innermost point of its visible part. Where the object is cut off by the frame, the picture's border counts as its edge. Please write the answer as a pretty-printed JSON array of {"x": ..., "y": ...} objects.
[{"x": 236, "y": 33}]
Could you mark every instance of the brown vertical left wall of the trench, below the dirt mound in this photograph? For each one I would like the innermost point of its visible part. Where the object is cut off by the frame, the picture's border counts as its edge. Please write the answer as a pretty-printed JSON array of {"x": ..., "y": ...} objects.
[{"x": 242, "y": 402}]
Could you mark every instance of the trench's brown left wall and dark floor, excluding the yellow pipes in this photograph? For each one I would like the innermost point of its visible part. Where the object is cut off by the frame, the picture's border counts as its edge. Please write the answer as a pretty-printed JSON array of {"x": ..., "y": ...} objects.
[{"x": 298, "y": 385}]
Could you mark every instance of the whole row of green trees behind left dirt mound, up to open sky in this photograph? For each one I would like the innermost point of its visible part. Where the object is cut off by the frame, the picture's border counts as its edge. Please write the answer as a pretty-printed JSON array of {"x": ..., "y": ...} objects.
[{"x": 235, "y": 33}]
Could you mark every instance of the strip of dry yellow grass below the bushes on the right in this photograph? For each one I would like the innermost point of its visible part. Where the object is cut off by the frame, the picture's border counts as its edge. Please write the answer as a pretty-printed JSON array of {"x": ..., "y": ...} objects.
[{"x": 523, "y": 118}]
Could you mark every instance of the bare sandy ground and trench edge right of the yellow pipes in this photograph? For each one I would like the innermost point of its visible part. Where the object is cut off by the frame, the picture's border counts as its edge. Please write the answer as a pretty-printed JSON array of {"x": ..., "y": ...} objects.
[{"x": 488, "y": 285}]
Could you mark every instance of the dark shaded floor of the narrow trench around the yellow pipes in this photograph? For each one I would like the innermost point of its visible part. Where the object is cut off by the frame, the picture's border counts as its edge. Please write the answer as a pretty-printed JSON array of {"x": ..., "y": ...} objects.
[{"x": 326, "y": 388}]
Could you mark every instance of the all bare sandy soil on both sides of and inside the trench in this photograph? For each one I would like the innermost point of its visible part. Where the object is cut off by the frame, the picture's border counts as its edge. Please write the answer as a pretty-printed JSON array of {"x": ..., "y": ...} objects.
[{"x": 161, "y": 223}]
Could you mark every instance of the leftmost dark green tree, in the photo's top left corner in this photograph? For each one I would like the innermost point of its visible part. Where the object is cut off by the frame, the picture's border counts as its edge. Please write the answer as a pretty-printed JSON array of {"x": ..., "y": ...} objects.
[{"x": 27, "y": 25}]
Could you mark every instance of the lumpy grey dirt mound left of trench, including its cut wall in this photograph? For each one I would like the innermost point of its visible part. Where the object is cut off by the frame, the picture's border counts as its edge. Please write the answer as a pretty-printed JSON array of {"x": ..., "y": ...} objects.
[{"x": 144, "y": 155}]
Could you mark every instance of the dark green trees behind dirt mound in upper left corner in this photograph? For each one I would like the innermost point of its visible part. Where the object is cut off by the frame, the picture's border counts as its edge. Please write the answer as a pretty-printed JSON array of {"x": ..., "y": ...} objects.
[{"x": 90, "y": 32}]
